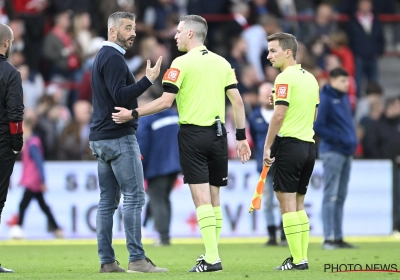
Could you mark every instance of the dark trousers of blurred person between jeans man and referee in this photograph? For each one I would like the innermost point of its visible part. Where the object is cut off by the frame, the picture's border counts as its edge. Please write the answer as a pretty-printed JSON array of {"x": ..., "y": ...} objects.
[{"x": 159, "y": 189}]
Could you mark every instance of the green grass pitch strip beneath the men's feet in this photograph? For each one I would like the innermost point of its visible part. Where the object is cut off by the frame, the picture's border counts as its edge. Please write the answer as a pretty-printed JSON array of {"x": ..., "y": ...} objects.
[{"x": 244, "y": 258}]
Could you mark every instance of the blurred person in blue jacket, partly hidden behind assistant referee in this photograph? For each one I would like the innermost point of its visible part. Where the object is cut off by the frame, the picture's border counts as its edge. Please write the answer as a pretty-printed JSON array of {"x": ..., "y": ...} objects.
[{"x": 259, "y": 122}]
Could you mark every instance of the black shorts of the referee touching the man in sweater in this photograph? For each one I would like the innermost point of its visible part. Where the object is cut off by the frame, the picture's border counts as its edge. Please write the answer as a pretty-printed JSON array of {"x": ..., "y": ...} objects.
[{"x": 203, "y": 155}]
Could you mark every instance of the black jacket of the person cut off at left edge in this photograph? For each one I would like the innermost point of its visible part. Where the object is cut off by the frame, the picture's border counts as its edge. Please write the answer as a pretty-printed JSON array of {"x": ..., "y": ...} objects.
[{"x": 11, "y": 105}]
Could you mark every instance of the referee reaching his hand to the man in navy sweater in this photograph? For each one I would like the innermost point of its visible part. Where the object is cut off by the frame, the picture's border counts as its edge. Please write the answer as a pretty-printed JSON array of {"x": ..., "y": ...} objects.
[{"x": 199, "y": 81}]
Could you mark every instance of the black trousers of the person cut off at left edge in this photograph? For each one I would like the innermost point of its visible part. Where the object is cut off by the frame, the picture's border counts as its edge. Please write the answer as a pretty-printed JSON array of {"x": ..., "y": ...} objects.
[{"x": 7, "y": 161}]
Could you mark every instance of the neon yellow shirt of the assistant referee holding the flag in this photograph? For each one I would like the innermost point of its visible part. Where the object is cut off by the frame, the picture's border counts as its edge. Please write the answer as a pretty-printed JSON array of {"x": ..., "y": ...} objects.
[{"x": 298, "y": 89}]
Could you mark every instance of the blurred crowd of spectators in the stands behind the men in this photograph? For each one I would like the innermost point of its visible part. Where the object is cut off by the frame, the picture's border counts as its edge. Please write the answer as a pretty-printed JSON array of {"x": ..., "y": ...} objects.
[{"x": 56, "y": 42}]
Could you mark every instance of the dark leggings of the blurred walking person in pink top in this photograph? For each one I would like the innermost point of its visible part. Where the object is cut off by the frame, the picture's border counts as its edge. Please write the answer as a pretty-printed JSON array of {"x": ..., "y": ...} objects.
[{"x": 26, "y": 199}]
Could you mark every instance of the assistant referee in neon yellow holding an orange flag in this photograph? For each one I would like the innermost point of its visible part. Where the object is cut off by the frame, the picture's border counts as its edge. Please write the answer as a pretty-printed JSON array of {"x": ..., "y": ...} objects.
[{"x": 293, "y": 150}]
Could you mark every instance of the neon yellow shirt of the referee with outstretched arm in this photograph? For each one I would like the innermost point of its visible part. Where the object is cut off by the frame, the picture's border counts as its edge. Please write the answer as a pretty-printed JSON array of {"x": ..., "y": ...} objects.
[{"x": 200, "y": 79}]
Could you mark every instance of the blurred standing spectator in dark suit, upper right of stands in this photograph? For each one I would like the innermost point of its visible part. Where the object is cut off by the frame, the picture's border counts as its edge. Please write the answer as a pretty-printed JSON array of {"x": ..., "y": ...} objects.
[{"x": 366, "y": 41}]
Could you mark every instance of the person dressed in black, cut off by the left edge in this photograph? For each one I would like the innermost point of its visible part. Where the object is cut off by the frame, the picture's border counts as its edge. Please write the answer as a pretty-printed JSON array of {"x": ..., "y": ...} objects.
[{"x": 11, "y": 116}]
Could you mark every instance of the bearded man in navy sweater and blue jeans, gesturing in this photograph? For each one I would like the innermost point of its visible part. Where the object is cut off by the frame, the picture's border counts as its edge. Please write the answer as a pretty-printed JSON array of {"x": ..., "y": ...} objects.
[{"x": 115, "y": 146}]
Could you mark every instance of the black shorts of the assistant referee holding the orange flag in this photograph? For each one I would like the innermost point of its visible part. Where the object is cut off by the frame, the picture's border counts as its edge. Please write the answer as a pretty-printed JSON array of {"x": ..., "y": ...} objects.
[{"x": 294, "y": 164}]
